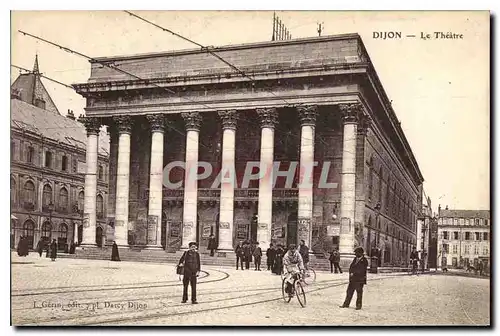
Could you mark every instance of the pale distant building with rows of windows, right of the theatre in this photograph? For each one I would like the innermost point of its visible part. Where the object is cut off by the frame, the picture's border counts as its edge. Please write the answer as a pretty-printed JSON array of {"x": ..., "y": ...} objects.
[{"x": 463, "y": 237}]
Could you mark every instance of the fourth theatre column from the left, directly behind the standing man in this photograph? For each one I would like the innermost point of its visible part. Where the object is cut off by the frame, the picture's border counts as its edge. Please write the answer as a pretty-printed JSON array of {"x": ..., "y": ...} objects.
[{"x": 190, "y": 209}]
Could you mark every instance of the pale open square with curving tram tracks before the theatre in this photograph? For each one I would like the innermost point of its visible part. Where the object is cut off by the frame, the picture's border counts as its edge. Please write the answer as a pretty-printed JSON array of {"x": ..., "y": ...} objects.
[{"x": 97, "y": 292}]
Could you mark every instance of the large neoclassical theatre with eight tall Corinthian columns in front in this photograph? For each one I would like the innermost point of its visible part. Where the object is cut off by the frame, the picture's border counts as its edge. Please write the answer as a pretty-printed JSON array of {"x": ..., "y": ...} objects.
[{"x": 293, "y": 102}]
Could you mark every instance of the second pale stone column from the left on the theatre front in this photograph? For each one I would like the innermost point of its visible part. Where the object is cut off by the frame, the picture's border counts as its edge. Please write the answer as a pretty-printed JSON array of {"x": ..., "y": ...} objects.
[{"x": 124, "y": 125}]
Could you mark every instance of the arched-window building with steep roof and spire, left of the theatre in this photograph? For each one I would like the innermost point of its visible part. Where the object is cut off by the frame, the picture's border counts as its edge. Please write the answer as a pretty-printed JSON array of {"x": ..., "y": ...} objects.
[{"x": 47, "y": 164}]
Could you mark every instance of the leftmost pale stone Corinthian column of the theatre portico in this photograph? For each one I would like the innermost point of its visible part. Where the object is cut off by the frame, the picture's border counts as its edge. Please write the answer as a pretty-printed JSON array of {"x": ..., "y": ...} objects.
[{"x": 89, "y": 208}]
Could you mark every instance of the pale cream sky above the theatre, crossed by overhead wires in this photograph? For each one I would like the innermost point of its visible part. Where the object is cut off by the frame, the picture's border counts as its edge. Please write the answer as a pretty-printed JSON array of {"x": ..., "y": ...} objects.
[{"x": 440, "y": 88}]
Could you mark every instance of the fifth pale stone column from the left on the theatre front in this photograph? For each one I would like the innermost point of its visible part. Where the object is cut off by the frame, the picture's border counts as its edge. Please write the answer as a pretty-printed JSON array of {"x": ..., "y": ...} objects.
[{"x": 226, "y": 214}]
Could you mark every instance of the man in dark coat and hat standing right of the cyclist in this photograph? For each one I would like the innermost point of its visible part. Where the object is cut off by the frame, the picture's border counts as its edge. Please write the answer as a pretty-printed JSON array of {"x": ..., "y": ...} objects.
[{"x": 357, "y": 279}]
